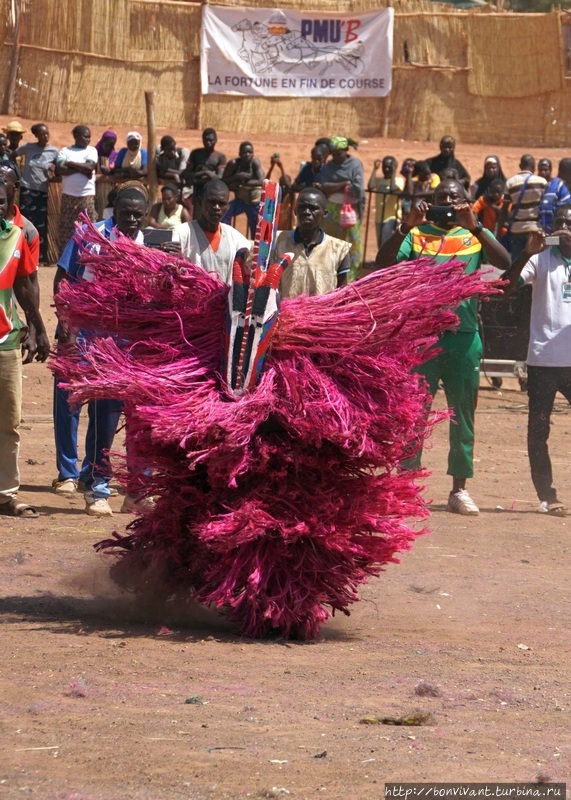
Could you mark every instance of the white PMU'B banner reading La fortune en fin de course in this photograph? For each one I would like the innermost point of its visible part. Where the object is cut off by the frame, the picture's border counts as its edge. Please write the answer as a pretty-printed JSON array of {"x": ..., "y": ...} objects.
[{"x": 285, "y": 53}]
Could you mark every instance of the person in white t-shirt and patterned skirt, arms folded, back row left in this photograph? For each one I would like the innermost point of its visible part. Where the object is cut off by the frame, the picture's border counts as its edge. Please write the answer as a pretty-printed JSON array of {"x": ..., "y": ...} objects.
[{"x": 76, "y": 165}]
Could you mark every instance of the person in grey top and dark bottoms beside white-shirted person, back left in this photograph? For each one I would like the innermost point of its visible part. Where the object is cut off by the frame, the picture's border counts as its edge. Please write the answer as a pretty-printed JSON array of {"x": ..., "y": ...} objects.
[{"x": 39, "y": 164}]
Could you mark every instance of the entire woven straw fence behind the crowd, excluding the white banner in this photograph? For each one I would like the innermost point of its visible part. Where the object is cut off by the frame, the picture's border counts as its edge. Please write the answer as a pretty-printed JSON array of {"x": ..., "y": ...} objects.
[{"x": 484, "y": 77}]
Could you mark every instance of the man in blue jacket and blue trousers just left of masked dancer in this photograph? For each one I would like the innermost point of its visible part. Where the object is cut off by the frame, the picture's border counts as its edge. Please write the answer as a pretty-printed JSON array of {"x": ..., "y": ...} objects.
[{"x": 129, "y": 215}]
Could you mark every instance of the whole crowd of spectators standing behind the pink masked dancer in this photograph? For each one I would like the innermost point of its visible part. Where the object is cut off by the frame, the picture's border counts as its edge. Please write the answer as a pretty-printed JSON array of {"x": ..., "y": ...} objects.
[{"x": 427, "y": 207}]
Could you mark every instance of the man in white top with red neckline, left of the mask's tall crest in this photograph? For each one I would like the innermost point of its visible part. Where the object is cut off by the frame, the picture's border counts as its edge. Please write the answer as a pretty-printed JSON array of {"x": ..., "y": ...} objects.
[{"x": 207, "y": 241}]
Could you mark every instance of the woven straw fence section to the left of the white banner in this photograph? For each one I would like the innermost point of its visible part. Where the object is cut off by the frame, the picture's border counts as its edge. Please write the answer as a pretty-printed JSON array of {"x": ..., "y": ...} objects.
[{"x": 91, "y": 61}]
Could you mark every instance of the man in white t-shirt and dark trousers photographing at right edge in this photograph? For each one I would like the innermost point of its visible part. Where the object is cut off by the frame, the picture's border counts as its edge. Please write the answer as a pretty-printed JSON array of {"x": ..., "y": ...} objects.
[{"x": 547, "y": 267}]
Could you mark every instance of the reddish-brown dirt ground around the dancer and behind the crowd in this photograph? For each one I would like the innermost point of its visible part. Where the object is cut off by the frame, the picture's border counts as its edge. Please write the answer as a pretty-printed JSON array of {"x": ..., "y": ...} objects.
[{"x": 472, "y": 627}]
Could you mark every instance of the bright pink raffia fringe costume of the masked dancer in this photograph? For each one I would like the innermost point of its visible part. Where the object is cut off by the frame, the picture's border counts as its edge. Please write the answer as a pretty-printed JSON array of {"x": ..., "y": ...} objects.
[{"x": 274, "y": 506}]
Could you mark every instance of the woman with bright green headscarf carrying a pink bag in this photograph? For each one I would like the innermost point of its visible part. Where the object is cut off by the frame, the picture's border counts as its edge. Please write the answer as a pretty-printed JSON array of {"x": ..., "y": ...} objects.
[{"x": 343, "y": 184}]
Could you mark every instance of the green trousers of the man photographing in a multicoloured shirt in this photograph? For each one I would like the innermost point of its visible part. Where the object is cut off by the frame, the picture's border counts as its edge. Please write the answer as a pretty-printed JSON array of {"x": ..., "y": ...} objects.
[{"x": 458, "y": 367}]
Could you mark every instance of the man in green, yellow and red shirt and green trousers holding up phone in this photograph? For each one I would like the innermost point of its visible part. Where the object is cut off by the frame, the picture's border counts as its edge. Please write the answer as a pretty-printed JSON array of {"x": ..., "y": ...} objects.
[{"x": 448, "y": 229}]
